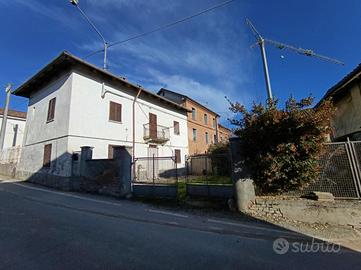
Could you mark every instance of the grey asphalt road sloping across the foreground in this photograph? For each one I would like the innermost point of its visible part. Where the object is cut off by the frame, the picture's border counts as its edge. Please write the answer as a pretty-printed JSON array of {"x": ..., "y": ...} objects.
[{"x": 46, "y": 229}]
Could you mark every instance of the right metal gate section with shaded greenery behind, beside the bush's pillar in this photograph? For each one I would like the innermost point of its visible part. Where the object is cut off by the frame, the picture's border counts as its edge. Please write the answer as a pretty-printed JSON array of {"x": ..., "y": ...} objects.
[{"x": 209, "y": 169}]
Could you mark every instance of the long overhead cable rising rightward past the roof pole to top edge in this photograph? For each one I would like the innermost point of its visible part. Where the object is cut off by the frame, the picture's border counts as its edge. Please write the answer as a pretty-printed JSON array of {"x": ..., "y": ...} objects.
[{"x": 165, "y": 26}]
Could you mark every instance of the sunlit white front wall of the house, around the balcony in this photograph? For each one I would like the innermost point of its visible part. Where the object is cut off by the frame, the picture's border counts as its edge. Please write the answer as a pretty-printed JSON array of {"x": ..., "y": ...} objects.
[{"x": 90, "y": 125}]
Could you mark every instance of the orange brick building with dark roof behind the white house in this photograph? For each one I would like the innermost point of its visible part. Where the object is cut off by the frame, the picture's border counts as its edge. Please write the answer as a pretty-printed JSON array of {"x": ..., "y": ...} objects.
[{"x": 203, "y": 127}]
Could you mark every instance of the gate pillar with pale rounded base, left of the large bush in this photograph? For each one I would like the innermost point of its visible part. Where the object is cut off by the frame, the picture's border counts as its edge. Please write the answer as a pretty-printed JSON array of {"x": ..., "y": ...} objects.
[{"x": 241, "y": 177}]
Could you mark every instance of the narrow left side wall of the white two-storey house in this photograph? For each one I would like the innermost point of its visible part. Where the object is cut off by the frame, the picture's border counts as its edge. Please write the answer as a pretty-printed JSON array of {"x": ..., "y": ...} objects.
[{"x": 39, "y": 132}]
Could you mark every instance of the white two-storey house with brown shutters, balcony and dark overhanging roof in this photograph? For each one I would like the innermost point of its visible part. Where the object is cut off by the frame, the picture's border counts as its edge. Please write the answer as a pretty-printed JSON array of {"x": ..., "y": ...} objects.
[{"x": 73, "y": 103}]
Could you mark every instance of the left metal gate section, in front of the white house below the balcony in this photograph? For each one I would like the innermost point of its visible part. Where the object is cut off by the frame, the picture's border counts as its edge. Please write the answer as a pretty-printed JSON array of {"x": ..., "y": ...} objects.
[{"x": 155, "y": 170}]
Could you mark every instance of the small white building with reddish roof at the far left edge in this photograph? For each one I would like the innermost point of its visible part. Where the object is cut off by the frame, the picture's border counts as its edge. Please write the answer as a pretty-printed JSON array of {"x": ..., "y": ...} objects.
[{"x": 15, "y": 128}]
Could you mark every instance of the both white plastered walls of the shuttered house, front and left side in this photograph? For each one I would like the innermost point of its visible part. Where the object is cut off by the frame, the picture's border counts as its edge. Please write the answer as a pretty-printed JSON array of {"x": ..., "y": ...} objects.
[{"x": 82, "y": 119}]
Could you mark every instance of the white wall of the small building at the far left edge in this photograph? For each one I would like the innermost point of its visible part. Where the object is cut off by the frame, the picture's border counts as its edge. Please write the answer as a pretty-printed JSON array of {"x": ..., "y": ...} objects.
[{"x": 13, "y": 136}]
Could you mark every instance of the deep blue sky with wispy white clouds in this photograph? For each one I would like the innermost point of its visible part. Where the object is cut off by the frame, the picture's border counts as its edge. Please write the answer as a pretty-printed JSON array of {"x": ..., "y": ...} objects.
[{"x": 206, "y": 58}]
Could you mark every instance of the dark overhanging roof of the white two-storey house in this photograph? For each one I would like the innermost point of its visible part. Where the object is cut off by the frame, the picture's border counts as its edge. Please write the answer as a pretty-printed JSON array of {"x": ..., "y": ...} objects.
[{"x": 64, "y": 62}]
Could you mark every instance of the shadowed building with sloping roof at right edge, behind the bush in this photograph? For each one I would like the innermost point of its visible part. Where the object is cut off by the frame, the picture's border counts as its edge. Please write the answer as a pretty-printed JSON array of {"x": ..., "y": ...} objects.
[{"x": 346, "y": 95}]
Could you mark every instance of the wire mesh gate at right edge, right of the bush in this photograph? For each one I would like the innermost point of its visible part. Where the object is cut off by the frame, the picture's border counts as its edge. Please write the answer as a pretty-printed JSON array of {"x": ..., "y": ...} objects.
[{"x": 340, "y": 170}]
